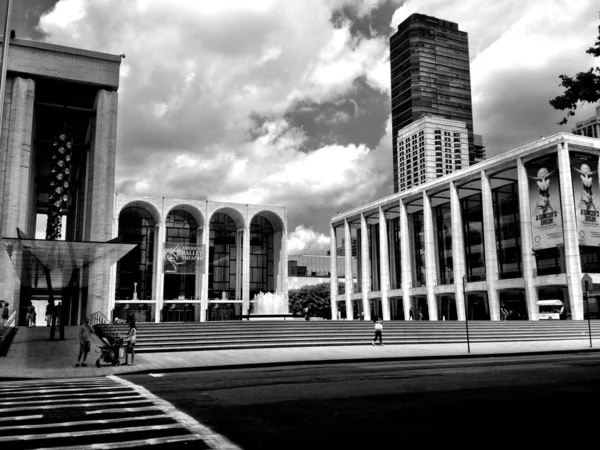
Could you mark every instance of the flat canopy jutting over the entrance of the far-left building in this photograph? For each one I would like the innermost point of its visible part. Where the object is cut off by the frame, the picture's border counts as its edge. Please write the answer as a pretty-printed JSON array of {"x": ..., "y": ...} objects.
[{"x": 52, "y": 264}]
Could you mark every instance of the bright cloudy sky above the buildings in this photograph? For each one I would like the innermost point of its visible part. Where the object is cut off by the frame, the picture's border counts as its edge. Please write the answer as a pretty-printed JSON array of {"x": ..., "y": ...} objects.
[{"x": 286, "y": 102}]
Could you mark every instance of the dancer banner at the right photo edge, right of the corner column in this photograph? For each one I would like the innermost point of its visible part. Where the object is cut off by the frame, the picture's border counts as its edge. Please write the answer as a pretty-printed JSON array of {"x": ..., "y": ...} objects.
[{"x": 584, "y": 172}]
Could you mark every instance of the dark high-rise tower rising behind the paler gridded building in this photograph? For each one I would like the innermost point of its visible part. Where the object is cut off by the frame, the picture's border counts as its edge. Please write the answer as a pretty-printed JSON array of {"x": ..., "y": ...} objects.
[{"x": 430, "y": 77}]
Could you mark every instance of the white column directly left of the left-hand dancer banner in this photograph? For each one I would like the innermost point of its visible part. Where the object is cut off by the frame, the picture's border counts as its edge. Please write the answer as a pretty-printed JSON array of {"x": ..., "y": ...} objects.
[{"x": 527, "y": 257}]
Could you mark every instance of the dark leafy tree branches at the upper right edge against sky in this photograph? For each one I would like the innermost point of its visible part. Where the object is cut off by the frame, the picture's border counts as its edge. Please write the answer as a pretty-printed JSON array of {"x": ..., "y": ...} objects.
[{"x": 583, "y": 87}]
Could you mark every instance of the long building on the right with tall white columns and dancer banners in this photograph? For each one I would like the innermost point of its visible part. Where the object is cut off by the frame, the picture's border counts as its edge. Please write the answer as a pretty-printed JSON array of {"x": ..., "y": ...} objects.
[{"x": 518, "y": 228}]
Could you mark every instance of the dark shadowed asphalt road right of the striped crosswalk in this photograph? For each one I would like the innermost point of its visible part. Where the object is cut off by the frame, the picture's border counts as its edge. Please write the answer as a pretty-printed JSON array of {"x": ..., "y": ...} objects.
[{"x": 506, "y": 402}]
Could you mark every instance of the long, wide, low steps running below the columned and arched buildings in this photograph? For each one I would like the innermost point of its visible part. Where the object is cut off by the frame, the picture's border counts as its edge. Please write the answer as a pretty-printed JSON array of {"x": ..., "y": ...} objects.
[{"x": 173, "y": 337}]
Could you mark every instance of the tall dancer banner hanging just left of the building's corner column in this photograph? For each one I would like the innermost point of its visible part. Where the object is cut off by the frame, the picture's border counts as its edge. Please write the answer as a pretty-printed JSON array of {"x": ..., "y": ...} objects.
[{"x": 544, "y": 198}]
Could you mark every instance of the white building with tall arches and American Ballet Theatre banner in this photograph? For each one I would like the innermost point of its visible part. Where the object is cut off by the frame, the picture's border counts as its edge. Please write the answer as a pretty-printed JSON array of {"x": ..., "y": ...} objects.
[{"x": 235, "y": 252}]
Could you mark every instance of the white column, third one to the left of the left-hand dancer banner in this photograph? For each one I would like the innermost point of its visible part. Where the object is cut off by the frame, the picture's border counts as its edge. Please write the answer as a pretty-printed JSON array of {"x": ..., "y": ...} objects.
[{"x": 458, "y": 252}]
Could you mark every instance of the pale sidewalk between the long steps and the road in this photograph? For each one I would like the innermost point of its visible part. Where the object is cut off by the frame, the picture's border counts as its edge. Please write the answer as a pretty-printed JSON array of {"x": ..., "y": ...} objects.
[{"x": 32, "y": 355}]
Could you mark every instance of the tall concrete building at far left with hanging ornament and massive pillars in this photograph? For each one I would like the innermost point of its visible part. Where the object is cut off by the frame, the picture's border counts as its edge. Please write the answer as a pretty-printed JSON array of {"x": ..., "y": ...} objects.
[{"x": 53, "y": 93}]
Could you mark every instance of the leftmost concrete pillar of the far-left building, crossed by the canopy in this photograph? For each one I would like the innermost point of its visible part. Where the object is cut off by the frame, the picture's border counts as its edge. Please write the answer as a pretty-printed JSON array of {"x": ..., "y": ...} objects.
[{"x": 17, "y": 197}]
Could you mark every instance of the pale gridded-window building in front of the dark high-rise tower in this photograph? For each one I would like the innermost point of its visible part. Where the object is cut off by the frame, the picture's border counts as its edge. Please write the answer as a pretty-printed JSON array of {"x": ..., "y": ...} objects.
[{"x": 430, "y": 148}]
